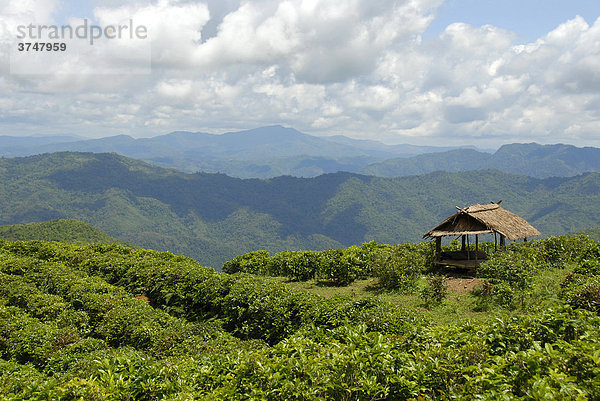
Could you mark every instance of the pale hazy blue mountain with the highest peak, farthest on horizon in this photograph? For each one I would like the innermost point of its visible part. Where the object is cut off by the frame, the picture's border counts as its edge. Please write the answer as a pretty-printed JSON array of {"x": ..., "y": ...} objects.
[{"x": 262, "y": 152}]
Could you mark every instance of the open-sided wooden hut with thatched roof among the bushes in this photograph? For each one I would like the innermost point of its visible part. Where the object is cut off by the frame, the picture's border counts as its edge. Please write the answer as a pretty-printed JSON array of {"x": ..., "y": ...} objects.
[{"x": 474, "y": 220}]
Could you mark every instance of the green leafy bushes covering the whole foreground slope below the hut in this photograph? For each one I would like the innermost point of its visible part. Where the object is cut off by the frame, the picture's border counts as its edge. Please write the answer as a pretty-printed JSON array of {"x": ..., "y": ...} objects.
[{"x": 106, "y": 322}]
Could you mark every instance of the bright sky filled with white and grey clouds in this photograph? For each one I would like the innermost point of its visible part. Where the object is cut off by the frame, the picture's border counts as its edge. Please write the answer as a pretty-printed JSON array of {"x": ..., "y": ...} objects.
[{"x": 436, "y": 72}]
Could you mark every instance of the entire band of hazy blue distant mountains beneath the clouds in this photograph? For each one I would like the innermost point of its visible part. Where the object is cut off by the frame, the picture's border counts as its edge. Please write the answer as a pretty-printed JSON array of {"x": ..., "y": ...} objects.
[{"x": 272, "y": 151}]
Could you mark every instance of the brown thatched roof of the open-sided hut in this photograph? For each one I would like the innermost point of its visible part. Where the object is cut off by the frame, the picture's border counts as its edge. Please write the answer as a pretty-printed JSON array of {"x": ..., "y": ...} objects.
[{"x": 484, "y": 219}]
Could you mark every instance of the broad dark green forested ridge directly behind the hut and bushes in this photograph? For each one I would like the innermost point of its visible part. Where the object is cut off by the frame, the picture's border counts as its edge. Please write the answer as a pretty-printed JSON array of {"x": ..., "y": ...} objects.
[{"x": 213, "y": 217}]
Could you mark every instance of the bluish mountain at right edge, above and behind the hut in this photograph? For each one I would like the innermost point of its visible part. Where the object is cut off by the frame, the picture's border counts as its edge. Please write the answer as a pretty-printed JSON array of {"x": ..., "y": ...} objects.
[{"x": 530, "y": 159}]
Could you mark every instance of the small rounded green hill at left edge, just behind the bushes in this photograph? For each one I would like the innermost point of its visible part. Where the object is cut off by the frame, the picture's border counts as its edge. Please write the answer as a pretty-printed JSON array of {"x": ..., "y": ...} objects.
[{"x": 74, "y": 231}]
